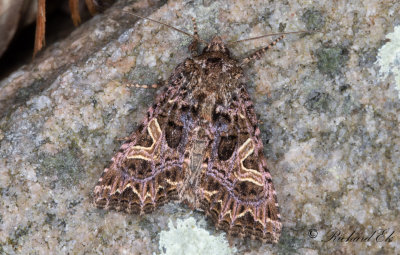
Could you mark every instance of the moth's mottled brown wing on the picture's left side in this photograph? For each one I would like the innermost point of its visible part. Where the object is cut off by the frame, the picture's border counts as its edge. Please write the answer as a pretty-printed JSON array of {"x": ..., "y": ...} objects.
[{"x": 147, "y": 170}]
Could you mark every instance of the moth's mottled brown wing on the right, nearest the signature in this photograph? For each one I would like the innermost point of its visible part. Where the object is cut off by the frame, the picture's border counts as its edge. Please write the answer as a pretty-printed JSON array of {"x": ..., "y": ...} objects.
[{"x": 236, "y": 188}]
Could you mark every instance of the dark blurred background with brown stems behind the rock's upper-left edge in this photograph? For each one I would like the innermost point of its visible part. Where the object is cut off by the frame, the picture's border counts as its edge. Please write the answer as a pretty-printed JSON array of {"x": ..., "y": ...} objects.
[{"x": 18, "y": 19}]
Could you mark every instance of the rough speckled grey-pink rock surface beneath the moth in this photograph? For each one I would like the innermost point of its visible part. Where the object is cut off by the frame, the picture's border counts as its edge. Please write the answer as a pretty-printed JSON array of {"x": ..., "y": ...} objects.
[{"x": 330, "y": 127}]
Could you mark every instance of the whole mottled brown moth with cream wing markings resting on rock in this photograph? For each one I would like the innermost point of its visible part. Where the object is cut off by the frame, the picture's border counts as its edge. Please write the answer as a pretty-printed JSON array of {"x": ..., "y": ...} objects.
[{"x": 199, "y": 144}]
